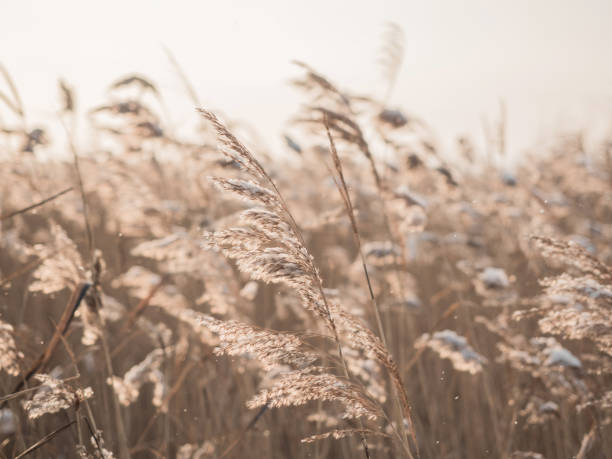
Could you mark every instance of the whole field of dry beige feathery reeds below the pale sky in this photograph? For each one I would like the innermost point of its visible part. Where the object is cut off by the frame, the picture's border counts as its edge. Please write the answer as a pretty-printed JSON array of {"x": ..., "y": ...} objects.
[{"x": 190, "y": 296}]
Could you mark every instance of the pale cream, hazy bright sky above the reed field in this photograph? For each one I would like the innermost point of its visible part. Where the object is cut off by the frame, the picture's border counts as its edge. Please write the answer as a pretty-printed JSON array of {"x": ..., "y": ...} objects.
[{"x": 548, "y": 59}]
